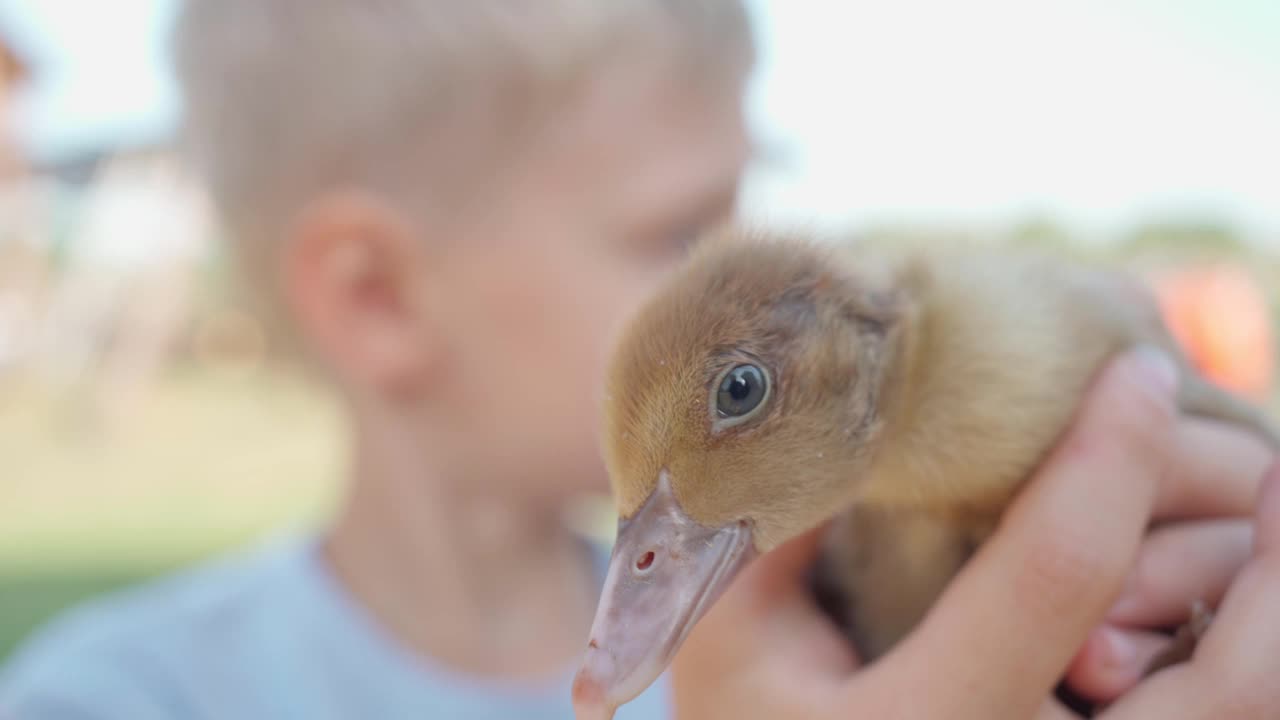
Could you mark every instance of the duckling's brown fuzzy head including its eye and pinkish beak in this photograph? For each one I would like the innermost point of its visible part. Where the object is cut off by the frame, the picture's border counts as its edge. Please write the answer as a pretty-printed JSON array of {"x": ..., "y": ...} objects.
[{"x": 742, "y": 408}]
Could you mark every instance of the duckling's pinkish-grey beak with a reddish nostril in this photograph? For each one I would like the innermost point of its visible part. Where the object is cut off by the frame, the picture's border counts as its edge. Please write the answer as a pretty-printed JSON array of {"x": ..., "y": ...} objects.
[{"x": 666, "y": 572}]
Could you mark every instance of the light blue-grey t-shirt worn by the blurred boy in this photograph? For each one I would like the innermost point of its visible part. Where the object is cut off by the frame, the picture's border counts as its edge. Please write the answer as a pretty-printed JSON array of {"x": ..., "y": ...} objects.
[{"x": 264, "y": 636}]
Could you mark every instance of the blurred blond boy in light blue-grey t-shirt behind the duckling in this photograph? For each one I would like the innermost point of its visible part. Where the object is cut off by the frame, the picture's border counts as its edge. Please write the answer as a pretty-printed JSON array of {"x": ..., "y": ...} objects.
[{"x": 455, "y": 204}]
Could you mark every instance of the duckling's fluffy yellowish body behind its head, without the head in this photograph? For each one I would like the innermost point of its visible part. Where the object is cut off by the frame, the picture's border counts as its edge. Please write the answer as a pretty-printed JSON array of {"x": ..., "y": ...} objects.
[{"x": 996, "y": 354}]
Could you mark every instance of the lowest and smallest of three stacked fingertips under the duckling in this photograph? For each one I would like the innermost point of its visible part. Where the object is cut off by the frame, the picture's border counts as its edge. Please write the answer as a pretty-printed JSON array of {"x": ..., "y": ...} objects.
[{"x": 1113, "y": 662}]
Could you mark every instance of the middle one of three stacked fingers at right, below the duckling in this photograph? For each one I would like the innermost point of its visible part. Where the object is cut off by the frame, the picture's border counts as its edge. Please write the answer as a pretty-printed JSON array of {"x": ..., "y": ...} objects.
[{"x": 1180, "y": 566}]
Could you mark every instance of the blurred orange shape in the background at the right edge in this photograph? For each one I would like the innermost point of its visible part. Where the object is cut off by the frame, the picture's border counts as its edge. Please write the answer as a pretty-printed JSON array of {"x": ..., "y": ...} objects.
[{"x": 1223, "y": 321}]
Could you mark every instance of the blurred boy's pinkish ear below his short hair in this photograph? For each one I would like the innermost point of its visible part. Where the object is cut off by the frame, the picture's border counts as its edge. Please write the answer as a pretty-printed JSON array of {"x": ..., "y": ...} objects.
[{"x": 350, "y": 267}]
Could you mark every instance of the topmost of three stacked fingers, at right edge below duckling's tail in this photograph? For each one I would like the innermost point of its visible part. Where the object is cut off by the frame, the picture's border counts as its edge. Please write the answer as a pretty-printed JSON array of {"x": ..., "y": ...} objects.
[{"x": 1215, "y": 473}]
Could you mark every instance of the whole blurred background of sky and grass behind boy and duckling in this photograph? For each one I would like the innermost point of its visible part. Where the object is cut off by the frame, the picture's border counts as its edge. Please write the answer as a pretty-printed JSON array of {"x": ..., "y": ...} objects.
[{"x": 148, "y": 418}]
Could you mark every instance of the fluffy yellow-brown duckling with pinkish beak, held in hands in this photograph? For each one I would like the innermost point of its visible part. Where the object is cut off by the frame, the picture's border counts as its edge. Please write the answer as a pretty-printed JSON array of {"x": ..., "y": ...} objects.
[{"x": 780, "y": 384}]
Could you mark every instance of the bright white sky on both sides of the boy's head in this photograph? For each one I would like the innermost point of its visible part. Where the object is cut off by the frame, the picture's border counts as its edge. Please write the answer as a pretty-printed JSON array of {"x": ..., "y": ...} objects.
[{"x": 1095, "y": 111}]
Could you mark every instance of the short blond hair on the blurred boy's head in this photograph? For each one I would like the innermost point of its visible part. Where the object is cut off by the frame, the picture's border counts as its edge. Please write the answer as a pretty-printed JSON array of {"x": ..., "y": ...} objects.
[{"x": 289, "y": 98}]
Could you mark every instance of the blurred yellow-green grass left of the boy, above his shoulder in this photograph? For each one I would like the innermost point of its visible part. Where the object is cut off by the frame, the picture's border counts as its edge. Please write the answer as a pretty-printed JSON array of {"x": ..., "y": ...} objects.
[{"x": 209, "y": 462}]
